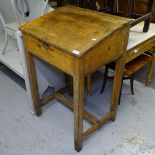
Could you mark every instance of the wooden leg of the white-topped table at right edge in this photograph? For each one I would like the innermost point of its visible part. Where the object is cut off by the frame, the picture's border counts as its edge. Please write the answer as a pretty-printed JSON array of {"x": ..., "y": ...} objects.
[{"x": 150, "y": 71}]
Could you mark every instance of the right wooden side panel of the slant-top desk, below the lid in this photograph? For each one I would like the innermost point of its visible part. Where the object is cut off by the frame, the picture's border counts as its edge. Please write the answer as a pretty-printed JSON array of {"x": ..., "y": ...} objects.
[{"x": 106, "y": 51}]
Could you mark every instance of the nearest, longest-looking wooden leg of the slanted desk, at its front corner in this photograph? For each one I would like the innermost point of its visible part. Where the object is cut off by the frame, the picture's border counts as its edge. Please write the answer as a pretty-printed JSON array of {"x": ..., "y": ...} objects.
[{"x": 78, "y": 87}]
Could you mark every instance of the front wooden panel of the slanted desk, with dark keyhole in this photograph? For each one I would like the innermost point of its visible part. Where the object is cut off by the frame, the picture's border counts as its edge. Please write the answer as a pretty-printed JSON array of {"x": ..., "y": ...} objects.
[{"x": 51, "y": 55}]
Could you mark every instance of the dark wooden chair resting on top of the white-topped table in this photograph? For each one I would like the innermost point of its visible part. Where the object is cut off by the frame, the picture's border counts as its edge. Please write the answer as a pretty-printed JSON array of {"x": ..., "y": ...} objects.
[{"x": 113, "y": 7}]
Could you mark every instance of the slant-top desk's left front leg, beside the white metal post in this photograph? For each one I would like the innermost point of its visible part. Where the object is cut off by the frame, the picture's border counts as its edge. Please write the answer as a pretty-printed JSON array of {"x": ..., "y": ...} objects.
[{"x": 33, "y": 83}]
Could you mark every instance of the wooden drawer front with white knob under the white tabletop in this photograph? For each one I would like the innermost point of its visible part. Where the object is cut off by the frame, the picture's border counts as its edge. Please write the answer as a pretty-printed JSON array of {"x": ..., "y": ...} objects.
[{"x": 140, "y": 49}]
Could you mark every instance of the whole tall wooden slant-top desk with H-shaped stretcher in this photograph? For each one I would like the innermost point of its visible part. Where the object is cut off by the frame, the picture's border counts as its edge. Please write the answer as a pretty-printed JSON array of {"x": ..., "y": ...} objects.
[{"x": 78, "y": 42}]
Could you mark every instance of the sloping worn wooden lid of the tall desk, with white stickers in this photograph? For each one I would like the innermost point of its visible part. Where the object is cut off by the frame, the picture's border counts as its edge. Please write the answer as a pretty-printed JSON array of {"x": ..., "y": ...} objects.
[{"x": 74, "y": 30}]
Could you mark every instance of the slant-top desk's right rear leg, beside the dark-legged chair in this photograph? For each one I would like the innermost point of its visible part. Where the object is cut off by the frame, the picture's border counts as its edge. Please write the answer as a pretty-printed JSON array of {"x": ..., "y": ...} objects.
[{"x": 117, "y": 85}]
